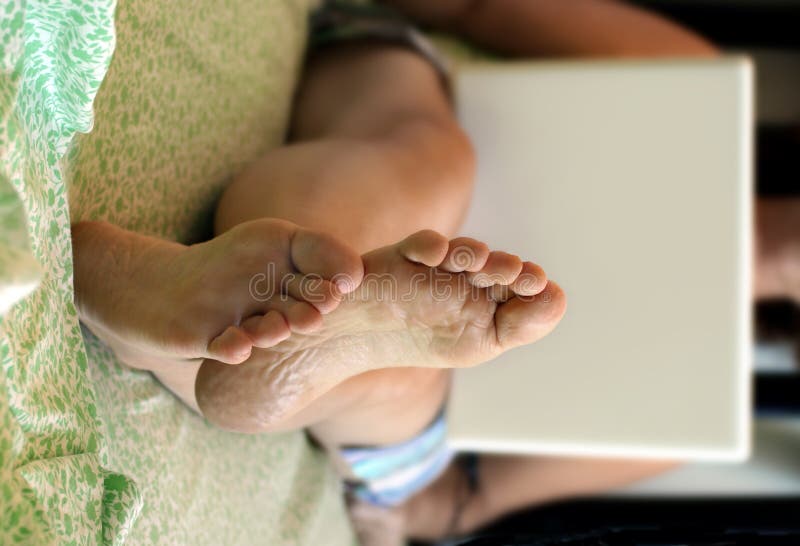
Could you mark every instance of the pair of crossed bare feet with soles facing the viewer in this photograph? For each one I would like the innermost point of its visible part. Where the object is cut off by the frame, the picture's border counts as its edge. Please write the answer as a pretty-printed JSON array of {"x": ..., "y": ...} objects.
[{"x": 247, "y": 308}]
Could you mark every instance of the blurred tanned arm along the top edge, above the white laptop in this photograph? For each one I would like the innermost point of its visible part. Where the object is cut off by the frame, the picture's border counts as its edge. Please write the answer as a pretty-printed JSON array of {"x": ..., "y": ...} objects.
[{"x": 570, "y": 28}]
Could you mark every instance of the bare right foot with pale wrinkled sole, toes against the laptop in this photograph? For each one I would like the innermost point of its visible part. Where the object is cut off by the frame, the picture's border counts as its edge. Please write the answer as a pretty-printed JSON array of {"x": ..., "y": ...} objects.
[{"x": 424, "y": 302}]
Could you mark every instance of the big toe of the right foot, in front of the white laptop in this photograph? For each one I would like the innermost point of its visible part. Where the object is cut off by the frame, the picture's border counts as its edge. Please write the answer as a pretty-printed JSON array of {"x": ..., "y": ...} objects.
[{"x": 523, "y": 320}]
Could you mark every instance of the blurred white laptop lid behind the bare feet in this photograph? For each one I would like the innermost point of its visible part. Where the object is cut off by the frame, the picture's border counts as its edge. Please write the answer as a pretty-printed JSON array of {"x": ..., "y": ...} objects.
[{"x": 629, "y": 182}]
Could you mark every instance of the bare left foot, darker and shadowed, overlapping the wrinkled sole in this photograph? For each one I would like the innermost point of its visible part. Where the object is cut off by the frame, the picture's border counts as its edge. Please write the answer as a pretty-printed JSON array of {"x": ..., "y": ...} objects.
[{"x": 159, "y": 302}]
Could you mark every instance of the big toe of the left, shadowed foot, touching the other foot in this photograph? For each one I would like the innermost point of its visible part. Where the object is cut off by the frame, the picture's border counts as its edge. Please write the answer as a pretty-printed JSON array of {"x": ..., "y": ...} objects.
[{"x": 315, "y": 253}]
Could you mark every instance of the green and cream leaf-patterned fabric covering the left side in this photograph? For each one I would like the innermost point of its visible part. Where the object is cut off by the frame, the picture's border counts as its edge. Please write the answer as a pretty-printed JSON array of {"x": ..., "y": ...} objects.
[{"x": 137, "y": 113}]
